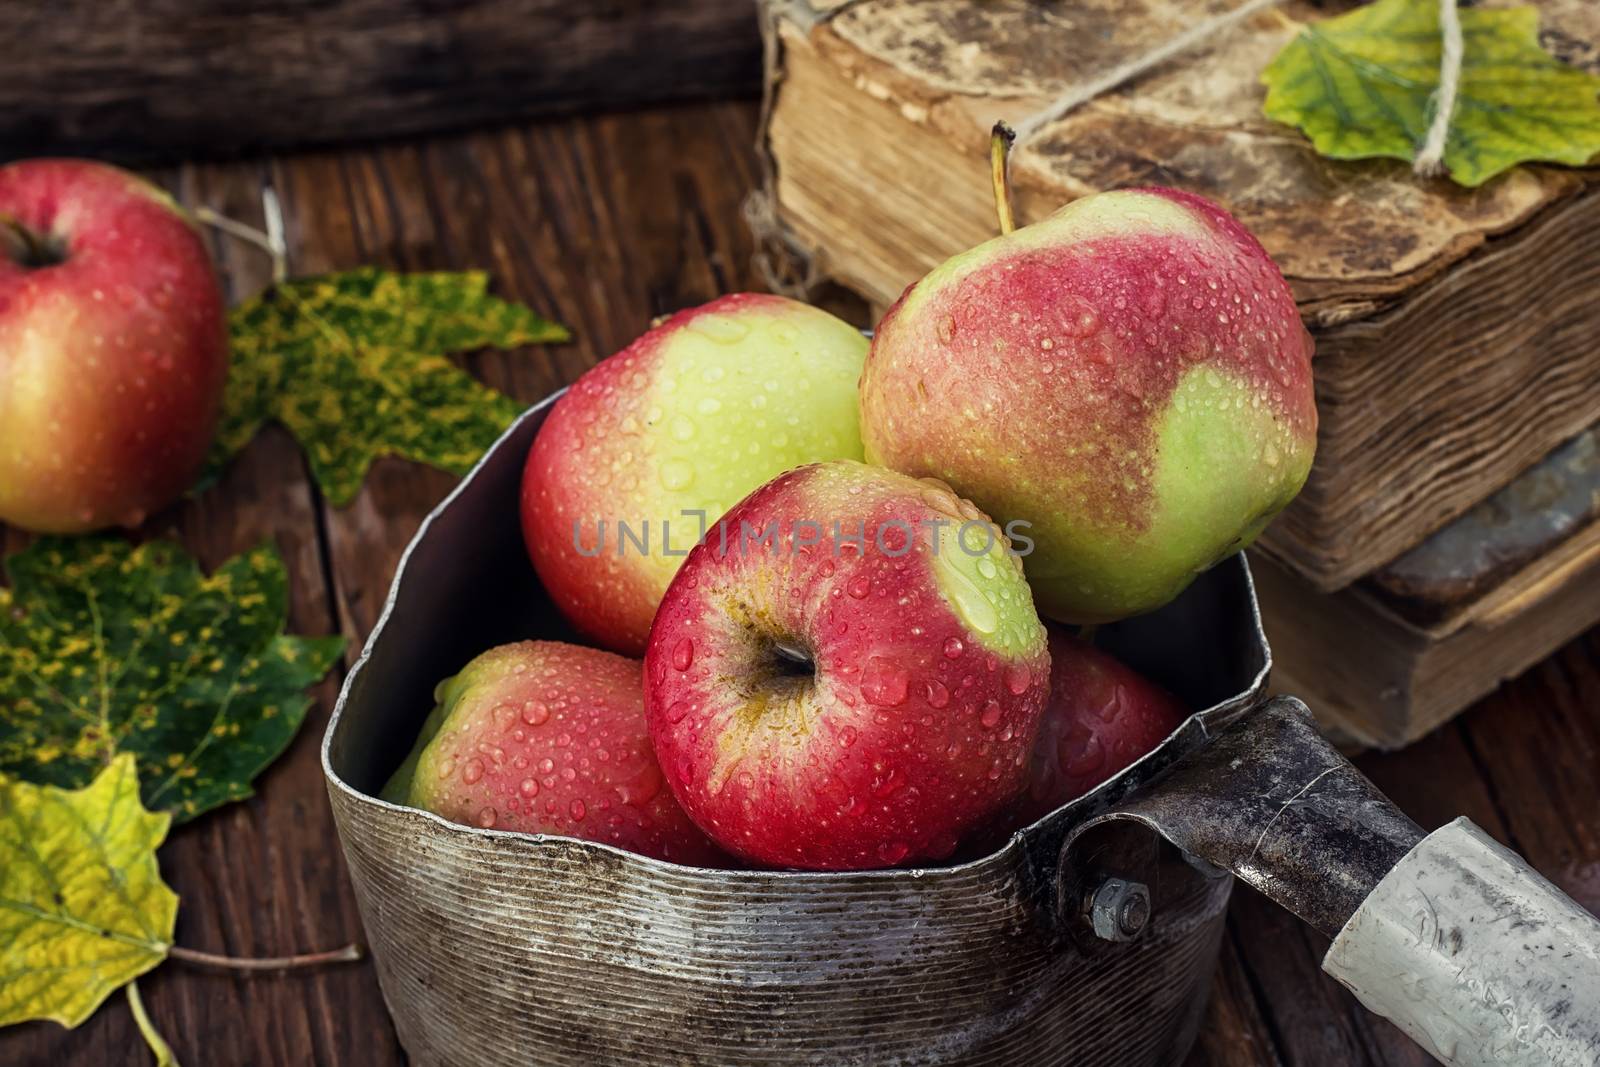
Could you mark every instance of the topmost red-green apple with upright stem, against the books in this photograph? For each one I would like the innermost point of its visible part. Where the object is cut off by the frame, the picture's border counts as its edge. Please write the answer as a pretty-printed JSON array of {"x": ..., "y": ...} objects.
[{"x": 1130, "y": 377}]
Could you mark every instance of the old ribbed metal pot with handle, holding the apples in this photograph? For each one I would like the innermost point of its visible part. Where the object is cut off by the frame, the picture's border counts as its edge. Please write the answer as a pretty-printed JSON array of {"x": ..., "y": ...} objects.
[{"x": 1090, "y": 938}]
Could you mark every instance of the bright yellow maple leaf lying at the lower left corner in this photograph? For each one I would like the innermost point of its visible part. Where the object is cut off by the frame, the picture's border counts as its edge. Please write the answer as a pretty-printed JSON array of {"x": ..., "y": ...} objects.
[{"x": 84, "y": 909}]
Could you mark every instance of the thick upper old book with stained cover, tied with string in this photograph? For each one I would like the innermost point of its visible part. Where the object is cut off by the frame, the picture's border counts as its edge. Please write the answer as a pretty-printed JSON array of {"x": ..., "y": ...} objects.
[{"x": 1455, "y": 329}]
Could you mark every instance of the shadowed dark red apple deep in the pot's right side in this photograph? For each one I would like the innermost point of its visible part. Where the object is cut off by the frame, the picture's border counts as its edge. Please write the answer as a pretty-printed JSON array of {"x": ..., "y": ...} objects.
[{"x": 1102, "y": 717}]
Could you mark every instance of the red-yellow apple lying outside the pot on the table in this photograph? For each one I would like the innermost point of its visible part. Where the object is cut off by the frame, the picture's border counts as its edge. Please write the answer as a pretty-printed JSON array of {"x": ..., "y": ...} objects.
[{"x": 113, "y": 348}]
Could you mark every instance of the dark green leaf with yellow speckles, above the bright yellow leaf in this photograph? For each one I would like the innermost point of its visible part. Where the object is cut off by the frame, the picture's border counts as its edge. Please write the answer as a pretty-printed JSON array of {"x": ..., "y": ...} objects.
[{"x": 110, "y": 649}]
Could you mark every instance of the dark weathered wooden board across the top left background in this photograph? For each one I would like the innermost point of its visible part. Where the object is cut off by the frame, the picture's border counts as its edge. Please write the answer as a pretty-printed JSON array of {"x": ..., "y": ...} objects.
[{"x": 204, "y": 78}]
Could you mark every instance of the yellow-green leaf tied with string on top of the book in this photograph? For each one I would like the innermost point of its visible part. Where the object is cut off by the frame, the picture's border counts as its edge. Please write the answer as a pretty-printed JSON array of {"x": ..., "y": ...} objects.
[{"x": 1362, "y": 86}]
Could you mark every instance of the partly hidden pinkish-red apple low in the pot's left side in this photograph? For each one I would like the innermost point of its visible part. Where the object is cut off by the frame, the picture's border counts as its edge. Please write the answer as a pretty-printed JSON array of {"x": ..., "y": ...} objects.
[{"x": 550, "y": 738}]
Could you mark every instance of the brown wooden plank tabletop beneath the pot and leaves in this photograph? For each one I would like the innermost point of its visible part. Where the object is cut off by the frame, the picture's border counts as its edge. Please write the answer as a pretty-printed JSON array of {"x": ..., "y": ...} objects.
[{"x": 606, "y": 223}]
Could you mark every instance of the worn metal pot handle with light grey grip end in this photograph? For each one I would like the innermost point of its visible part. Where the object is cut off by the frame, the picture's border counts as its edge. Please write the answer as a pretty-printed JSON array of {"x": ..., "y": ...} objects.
[{"x": 1449, "y": 935}]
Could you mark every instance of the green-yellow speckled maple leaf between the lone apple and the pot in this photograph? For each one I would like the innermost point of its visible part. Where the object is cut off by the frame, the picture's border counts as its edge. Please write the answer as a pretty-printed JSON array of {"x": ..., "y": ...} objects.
[{"x": 356, "y": 367}]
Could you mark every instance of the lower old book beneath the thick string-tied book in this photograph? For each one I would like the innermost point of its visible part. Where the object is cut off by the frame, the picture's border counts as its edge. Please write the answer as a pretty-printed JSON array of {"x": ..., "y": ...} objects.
[{"x": 1398, "y": 653}]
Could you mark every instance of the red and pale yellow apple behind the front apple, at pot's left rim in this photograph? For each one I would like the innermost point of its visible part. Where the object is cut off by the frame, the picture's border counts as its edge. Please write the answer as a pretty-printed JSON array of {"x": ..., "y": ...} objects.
[{"x": 670, "y": 433}]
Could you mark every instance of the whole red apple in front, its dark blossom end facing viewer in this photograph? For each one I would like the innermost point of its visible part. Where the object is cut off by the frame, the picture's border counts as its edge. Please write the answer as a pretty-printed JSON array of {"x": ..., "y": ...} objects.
[{"x": 847, "y": 674}]
